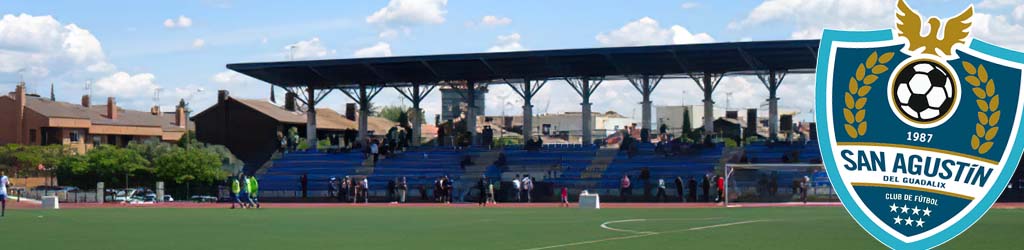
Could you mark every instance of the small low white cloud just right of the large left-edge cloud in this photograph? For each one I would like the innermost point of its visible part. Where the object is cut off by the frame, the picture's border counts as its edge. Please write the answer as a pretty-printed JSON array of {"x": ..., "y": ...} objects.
[{"x": 126, "y": 86}]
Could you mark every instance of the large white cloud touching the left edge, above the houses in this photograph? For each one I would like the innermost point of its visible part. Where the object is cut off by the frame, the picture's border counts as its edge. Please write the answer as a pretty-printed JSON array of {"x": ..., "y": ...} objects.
[{"x": 41, "y": 47}]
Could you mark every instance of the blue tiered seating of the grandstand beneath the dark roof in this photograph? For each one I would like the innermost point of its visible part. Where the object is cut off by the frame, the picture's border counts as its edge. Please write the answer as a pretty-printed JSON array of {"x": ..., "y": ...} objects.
[{"x": 577, "y": 166}]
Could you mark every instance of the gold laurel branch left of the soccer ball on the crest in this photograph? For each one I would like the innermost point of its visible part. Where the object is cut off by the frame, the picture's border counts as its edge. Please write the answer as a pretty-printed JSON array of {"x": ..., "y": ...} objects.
[{"x": 857, "y": 97}]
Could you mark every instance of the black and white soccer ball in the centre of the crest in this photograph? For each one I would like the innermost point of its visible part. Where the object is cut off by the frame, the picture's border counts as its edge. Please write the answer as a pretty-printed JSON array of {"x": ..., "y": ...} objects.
[{"x": 924, "y": 92}]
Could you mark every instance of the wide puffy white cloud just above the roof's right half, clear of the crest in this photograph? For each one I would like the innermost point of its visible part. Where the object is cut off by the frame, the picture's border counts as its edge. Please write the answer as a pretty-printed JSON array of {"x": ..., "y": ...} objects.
[{"x": 648, "y": 31}]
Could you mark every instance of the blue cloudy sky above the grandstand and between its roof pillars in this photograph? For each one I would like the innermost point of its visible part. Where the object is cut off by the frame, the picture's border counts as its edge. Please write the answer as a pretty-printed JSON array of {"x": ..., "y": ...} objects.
[{"x": 139, "y": 51}]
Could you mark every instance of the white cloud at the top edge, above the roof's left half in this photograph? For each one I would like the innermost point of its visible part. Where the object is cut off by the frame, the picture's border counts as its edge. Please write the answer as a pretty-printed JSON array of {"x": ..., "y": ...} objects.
[{"x": 404, "y": 13}]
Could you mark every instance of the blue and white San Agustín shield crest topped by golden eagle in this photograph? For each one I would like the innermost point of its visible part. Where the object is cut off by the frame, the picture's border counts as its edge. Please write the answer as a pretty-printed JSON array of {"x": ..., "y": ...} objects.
[{"x": 920, "y": 126}]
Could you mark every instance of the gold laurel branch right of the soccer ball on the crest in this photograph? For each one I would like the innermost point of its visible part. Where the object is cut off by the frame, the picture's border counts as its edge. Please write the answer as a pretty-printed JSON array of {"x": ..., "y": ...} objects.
[{"x": 989, "y": 107}]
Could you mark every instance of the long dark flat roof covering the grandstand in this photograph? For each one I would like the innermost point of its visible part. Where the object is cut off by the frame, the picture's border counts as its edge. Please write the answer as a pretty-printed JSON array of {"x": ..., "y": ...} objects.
[{"x": 669, "y": 61}]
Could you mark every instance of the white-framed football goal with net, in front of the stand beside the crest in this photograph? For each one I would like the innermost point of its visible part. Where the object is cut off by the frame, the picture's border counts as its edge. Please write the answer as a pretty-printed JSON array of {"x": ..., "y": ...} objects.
[{"x": 762, "y": 183}]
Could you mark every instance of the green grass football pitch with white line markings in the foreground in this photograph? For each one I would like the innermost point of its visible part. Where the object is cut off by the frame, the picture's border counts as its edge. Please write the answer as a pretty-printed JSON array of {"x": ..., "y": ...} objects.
[{"x": 794, "y": 228}]
